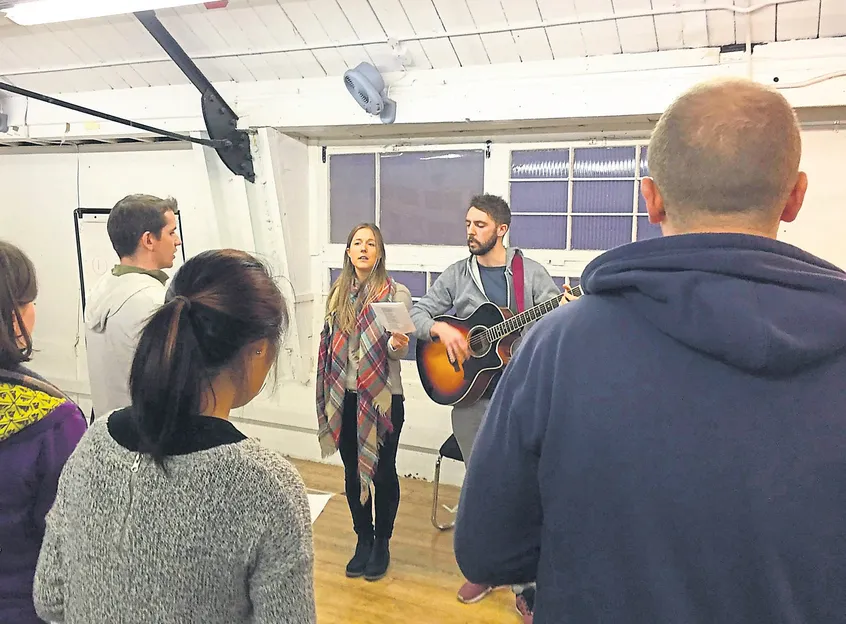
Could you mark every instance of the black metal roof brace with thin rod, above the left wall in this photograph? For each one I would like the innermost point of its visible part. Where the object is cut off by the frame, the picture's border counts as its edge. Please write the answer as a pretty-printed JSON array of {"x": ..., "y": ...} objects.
[{"x": 232, "y": 145}]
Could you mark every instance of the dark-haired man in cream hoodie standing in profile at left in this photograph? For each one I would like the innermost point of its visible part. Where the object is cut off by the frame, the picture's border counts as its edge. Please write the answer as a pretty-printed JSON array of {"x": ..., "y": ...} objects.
[{"x": 144, "y": 233}]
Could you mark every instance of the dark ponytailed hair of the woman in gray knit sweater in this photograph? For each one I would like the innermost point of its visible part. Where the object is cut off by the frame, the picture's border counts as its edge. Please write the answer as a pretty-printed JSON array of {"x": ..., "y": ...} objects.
[{"x": 219, "y": 302}]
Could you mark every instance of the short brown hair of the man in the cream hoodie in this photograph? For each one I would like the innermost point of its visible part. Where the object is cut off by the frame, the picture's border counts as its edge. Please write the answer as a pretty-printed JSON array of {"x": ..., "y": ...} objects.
[{"x": 133, "y": 216}]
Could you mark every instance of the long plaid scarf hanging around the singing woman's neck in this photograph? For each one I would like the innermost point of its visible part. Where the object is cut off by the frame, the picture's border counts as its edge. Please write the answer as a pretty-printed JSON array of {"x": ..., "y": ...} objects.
[{"x": 374, "y": 392}]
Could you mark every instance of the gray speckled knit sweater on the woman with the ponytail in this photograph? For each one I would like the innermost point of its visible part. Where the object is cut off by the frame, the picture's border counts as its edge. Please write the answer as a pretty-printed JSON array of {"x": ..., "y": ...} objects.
[{"x": 224, "y": 537}]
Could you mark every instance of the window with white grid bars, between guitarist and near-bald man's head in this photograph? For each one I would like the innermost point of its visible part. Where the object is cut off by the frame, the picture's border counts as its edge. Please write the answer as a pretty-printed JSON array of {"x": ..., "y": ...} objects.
[{"x": 583, "y": 198}]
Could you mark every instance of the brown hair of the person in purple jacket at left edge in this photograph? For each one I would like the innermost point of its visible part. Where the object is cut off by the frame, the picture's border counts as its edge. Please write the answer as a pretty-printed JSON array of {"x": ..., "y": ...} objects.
[{"x": 18, "y": 287}]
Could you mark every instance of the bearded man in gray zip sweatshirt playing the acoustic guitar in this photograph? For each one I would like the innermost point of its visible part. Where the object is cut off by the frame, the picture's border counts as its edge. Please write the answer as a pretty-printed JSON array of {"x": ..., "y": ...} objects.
[{"x": 487, "y": 275}]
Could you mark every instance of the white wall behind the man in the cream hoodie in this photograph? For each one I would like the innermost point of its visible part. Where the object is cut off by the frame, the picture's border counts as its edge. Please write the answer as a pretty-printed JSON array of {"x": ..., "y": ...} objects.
[{"x": 41, "y": 191}]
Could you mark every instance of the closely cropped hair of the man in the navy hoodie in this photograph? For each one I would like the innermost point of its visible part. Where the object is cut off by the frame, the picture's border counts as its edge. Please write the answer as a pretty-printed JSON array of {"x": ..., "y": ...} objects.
[{"x": 725, "y": 147}]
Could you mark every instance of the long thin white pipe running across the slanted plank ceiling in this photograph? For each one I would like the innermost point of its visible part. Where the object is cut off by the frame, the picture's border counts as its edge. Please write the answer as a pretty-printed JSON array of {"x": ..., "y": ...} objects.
[{"x": 677, "y": 10}]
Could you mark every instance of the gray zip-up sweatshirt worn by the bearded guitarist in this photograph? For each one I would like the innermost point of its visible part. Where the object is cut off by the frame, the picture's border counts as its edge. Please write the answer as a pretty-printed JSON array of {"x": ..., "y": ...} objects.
[{"x": 460, "y": 287}]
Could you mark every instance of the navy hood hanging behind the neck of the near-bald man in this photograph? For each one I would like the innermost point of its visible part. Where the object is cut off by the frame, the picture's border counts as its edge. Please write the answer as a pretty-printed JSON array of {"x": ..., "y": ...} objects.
[{"x": 754, "y": 303}]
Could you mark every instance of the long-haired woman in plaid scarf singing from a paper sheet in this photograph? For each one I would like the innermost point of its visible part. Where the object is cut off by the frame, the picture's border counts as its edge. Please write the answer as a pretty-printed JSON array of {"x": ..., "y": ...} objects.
[{"x": 359, "y": 395}]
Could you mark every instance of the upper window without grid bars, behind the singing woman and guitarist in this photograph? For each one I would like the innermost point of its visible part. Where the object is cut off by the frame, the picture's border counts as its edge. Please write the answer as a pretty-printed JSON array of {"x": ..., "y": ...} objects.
[{"x": 427, "y": 190}]
